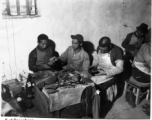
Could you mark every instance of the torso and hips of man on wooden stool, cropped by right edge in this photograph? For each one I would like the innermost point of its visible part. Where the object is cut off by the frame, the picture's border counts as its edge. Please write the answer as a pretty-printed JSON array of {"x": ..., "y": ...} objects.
[{"x": 142, "y": 64}]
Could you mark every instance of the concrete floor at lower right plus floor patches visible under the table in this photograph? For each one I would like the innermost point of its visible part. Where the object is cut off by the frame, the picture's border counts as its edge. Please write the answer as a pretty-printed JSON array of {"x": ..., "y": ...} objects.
[{"x": 120, "y": 110}]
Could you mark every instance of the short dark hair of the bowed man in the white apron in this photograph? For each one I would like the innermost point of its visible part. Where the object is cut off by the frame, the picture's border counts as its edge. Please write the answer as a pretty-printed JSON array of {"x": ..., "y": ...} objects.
[{"x": 104, "y": 42}]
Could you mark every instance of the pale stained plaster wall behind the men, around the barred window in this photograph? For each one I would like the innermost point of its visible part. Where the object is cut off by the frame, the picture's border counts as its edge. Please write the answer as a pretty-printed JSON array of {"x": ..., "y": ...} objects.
[{"x": 62, "y": 18}]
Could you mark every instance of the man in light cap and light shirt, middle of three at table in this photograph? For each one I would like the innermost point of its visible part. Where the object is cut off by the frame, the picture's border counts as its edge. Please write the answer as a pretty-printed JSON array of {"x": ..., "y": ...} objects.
[{"x": 75, "y": 56}]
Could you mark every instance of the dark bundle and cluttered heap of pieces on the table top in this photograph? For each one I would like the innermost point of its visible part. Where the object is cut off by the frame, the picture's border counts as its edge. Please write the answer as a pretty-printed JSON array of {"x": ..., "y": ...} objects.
[{"x": 52, "y": 80}]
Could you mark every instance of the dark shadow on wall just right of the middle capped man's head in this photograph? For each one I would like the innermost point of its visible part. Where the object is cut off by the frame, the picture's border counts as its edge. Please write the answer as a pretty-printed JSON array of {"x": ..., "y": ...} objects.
[{"x": 89, "y": 48}]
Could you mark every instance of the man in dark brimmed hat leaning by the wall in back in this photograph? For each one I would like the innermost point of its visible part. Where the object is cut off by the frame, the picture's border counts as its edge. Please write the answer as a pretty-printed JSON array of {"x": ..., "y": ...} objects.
[{"x": 131, "y": 44}]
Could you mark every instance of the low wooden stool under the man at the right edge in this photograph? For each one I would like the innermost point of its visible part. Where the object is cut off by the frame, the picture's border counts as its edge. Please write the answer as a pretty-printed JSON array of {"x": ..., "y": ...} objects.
[{"x": 137, "y": 89}]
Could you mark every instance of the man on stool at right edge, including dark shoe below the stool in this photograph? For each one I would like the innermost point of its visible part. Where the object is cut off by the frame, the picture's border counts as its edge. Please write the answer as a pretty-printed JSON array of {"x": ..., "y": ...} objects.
[{"x": 141, "y": 70}]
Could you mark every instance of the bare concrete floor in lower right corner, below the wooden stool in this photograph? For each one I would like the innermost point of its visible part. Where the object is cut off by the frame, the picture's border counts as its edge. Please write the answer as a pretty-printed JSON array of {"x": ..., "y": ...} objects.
[{"x": 122, "y": 110}]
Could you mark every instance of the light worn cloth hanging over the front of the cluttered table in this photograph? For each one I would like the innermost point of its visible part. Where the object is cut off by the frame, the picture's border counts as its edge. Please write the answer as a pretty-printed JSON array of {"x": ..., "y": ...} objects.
[{"x": 65, "y": 97}]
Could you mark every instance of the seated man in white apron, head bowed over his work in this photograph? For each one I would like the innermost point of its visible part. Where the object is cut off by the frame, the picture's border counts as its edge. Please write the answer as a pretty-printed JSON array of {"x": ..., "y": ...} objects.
[{"x": 108, "y": 60}]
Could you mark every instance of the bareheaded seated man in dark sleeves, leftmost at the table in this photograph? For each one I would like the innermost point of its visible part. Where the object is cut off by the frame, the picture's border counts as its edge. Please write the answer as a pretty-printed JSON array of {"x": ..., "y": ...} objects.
[{"x": 41, "y": 58}]
